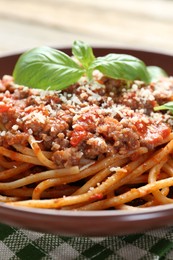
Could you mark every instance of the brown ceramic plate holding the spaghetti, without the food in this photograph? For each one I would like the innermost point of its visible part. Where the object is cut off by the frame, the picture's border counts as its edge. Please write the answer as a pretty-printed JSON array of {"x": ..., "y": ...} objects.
[{"x": 96, "y": 223}]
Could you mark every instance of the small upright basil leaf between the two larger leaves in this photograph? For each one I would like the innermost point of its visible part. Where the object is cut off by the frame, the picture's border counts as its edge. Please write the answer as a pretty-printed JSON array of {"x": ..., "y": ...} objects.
[{"x": 83, "y": 52}]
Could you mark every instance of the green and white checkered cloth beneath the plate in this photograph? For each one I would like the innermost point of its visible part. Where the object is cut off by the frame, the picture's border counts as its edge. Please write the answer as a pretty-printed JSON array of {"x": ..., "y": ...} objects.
[{"x": 16, "y": 244}]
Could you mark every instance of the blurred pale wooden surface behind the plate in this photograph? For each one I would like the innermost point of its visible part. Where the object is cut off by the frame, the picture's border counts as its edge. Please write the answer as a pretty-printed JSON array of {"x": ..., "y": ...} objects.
[{"x": 141, "y": 24}]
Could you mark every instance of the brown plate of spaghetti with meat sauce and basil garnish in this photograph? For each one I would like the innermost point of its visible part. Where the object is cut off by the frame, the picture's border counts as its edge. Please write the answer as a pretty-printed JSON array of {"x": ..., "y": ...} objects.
[{"x": 86, "y": 141}]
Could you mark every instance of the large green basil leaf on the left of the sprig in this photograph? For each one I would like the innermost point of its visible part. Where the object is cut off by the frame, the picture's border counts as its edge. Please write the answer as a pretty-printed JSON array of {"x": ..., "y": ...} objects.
[{"x": 45, "y": 67}]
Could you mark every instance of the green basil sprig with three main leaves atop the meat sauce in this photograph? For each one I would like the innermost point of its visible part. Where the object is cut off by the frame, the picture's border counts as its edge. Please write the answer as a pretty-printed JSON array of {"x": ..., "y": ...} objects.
[{"x": 45, "y": 67}]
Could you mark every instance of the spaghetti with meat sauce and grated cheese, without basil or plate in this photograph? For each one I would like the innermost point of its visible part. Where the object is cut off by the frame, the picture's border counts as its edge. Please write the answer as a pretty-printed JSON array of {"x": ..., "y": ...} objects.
[{"x": 90, "y": 147}]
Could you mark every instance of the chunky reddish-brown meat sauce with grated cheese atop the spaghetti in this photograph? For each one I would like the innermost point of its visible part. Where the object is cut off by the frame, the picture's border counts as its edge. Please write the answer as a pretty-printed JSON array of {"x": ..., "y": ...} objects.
[{"x": 86, "y": 121}]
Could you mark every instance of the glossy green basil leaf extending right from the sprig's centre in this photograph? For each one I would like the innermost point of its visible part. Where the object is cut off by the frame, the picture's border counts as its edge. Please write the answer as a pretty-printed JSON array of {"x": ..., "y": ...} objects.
[{"x": 121, "y": 66}]
